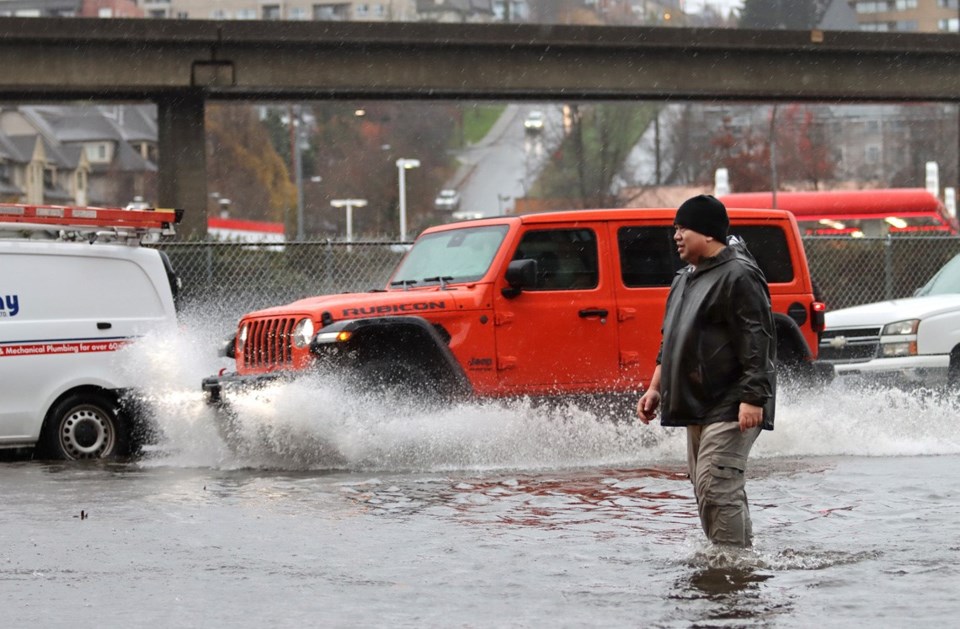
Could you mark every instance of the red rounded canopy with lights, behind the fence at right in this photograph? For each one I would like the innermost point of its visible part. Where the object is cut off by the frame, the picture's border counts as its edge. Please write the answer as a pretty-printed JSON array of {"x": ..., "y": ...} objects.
[{"x": 857, "y": 213}]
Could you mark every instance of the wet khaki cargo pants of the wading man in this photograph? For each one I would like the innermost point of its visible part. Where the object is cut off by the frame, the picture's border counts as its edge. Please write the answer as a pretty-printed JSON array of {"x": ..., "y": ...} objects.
[{"x": 717, "y": 458}]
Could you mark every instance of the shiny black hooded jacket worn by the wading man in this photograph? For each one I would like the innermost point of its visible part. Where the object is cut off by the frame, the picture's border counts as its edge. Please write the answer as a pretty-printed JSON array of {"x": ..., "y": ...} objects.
[{"x": 719, "y": 342}]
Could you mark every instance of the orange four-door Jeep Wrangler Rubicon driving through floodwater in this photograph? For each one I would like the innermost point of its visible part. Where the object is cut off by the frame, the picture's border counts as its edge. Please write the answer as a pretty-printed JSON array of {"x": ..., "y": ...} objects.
[{"x": 554, "y": 304}]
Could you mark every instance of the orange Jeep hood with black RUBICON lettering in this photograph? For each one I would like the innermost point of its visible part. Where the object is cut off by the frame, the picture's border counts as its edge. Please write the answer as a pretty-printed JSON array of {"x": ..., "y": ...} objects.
[{"x": 358, "y": 305}]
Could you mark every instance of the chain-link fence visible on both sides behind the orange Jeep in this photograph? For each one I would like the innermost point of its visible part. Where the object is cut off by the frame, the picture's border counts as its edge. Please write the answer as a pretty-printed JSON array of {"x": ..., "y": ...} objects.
[{"x": 230, "y": 279}]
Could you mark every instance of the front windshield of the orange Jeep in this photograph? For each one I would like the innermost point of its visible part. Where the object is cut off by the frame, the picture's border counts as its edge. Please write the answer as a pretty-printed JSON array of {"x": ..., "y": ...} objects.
[{"x": 456, "y": 255}]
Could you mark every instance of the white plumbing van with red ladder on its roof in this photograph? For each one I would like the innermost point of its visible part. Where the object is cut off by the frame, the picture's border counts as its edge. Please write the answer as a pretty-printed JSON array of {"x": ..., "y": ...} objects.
[{"x": 76, "y": 287}]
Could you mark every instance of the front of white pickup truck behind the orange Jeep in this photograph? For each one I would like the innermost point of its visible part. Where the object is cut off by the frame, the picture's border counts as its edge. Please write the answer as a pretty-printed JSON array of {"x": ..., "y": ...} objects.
[{"x": 911, "y": 341}]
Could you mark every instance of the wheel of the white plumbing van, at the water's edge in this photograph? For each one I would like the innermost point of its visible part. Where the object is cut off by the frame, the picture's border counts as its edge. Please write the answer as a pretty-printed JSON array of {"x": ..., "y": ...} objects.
[{"x": 85, "y": 426}]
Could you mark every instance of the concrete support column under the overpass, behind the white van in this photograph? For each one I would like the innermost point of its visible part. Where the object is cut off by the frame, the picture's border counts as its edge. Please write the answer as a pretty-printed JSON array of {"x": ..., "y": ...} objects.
[{"x": 183, "y": 159}]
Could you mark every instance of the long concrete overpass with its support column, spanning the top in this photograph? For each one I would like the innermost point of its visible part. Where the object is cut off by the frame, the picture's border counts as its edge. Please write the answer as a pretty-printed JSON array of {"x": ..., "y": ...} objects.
[{"x": 181, "y": 64}]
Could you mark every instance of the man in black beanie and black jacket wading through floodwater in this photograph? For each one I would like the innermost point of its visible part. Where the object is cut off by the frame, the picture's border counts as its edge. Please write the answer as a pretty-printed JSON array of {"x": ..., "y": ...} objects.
[{"x": 715, "y": 370}]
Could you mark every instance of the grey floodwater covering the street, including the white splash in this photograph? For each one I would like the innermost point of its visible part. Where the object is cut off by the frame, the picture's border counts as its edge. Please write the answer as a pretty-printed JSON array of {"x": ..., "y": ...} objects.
[{"x": 344, "y": 512}]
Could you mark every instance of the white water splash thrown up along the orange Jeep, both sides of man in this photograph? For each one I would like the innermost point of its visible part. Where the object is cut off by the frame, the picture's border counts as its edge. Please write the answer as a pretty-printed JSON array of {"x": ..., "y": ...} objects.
[{"x": 318, "y": 423}]
